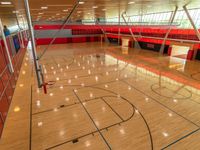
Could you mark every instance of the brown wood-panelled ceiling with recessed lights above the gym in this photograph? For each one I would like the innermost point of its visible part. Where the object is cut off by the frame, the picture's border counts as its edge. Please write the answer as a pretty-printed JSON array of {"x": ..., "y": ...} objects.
[{"x": 53, "y": 10}]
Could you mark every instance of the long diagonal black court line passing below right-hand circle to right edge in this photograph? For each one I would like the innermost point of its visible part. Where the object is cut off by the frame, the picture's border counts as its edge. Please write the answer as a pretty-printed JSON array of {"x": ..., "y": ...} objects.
[{"x": 159, "y": 103}]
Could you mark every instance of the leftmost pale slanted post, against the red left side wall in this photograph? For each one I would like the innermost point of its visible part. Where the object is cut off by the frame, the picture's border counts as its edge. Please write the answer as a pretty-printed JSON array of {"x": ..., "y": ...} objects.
[{"x": 6, "y": 48}]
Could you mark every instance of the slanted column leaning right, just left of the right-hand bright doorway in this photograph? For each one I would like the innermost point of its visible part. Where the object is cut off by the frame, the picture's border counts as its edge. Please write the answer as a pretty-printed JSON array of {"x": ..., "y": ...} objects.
[{"x": 167, "y": 34}]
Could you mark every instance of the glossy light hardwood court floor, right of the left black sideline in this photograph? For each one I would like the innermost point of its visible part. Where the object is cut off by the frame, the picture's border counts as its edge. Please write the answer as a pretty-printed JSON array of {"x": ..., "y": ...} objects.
[{"x": 102, "y": 96}]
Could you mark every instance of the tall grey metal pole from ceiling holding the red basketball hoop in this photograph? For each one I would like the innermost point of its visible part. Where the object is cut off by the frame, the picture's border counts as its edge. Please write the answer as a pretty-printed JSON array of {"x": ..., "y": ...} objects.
[{"x": 33, "y": 47}]
